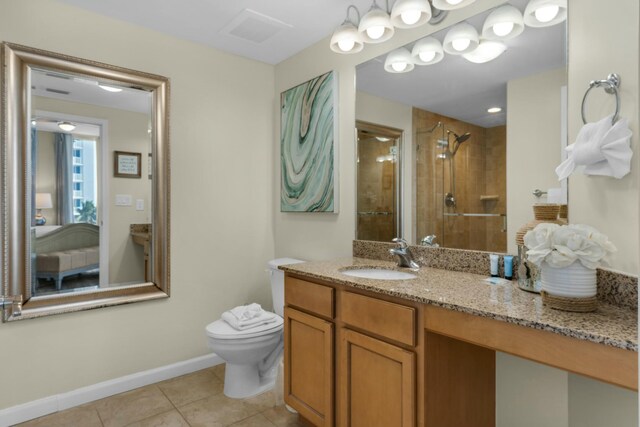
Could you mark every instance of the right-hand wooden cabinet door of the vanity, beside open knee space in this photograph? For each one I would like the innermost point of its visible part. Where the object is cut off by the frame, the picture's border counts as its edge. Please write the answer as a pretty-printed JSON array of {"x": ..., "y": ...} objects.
[{"x": 377, "y": 383}]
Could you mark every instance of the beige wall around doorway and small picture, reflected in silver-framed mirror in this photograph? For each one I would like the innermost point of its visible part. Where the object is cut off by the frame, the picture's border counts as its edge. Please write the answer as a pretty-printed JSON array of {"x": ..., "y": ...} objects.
[{"x": 126, "y": 131}]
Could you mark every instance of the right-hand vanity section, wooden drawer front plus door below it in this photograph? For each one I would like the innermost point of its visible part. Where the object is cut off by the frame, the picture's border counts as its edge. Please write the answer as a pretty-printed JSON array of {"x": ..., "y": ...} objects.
[{"x": 377, "y": 365}]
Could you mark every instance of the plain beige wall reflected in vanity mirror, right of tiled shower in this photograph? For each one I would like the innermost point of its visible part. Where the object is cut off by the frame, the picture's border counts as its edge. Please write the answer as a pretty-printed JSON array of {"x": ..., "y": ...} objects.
[{"x": 533, "y": 144}]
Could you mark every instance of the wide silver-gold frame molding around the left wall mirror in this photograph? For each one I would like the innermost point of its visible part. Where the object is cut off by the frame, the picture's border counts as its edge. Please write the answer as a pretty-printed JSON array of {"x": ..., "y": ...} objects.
[{"x": 15, "y": 180}]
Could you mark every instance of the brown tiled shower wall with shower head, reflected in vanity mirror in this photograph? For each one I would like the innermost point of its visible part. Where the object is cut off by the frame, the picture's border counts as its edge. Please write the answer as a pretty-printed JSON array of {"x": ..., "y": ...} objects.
[{"x": 480, "y": 170}]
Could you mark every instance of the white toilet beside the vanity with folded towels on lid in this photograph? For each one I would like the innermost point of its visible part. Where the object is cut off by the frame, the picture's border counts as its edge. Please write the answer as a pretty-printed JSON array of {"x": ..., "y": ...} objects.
[{"x": 252, "y": 355}]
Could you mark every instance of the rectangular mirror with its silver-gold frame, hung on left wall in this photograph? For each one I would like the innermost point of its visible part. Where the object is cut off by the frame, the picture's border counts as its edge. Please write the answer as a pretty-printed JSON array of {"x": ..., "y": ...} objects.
[{"x": 85, "y": 212}]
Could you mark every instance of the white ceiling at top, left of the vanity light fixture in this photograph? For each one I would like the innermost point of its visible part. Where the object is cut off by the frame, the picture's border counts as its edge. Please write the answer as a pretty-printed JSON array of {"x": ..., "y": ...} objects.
[{"x": 301, "y": 23}]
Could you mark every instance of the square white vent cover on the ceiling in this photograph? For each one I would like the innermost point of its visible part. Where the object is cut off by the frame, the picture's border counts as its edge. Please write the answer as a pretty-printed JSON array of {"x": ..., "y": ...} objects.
[{"x": 254, "y": 27}]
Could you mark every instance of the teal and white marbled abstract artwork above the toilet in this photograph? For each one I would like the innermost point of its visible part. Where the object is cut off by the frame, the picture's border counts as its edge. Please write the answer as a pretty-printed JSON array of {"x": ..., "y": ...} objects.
[{"x": 307, "y": 139}]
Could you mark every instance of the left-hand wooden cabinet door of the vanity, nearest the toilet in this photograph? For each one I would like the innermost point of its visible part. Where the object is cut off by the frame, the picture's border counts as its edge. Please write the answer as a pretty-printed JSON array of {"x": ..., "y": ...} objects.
[{"x": 308, "y": 361}]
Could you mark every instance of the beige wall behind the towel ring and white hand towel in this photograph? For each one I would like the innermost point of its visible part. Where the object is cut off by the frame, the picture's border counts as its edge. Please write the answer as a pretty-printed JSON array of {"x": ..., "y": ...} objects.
[{"x": 600, "y": 44}]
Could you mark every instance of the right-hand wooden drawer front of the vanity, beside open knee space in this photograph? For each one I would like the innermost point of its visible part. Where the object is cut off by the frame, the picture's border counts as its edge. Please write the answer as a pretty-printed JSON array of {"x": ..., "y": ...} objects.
[{"x": 394, "y": 321}]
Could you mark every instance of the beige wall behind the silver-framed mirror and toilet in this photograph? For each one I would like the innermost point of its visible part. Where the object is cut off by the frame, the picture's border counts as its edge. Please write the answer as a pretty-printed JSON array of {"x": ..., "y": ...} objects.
[{"x": 221, "y": 206}]
